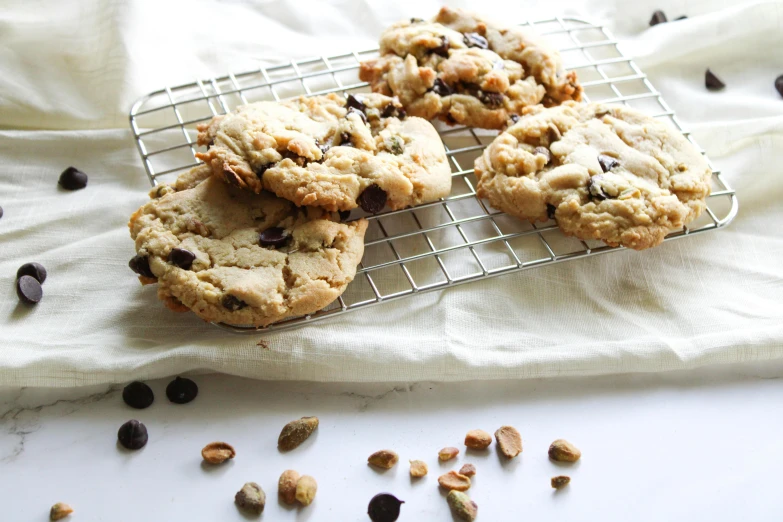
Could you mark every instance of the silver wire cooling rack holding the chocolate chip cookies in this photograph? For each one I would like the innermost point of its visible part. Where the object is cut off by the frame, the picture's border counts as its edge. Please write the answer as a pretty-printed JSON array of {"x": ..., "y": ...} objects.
[{"x": 433, "y": 246}]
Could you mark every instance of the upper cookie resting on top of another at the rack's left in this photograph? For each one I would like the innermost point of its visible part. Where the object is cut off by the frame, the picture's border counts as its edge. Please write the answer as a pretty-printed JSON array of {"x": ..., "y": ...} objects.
[{"x": 329, "y": 151}]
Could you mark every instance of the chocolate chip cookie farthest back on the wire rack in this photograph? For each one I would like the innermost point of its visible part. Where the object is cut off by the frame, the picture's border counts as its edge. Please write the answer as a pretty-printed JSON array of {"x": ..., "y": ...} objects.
[{"x": 462, "y": 69}]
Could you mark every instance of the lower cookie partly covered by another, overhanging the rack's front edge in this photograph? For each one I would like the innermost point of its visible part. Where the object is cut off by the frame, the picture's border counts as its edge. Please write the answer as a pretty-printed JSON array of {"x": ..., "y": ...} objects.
[{"x": 237, "y": 257}]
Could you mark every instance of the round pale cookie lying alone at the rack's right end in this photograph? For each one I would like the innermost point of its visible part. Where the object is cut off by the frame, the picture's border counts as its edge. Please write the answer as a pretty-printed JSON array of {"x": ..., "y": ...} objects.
[{"x": 601, "y": 171}]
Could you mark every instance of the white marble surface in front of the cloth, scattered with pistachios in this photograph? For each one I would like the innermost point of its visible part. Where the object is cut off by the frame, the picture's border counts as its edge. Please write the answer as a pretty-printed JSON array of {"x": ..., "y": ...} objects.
[{"x": 701, "y": 445}]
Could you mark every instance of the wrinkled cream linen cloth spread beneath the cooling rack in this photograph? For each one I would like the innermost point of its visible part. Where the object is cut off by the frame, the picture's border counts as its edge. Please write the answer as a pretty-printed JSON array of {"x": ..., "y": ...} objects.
[{"x": 71, "y": 71}]
